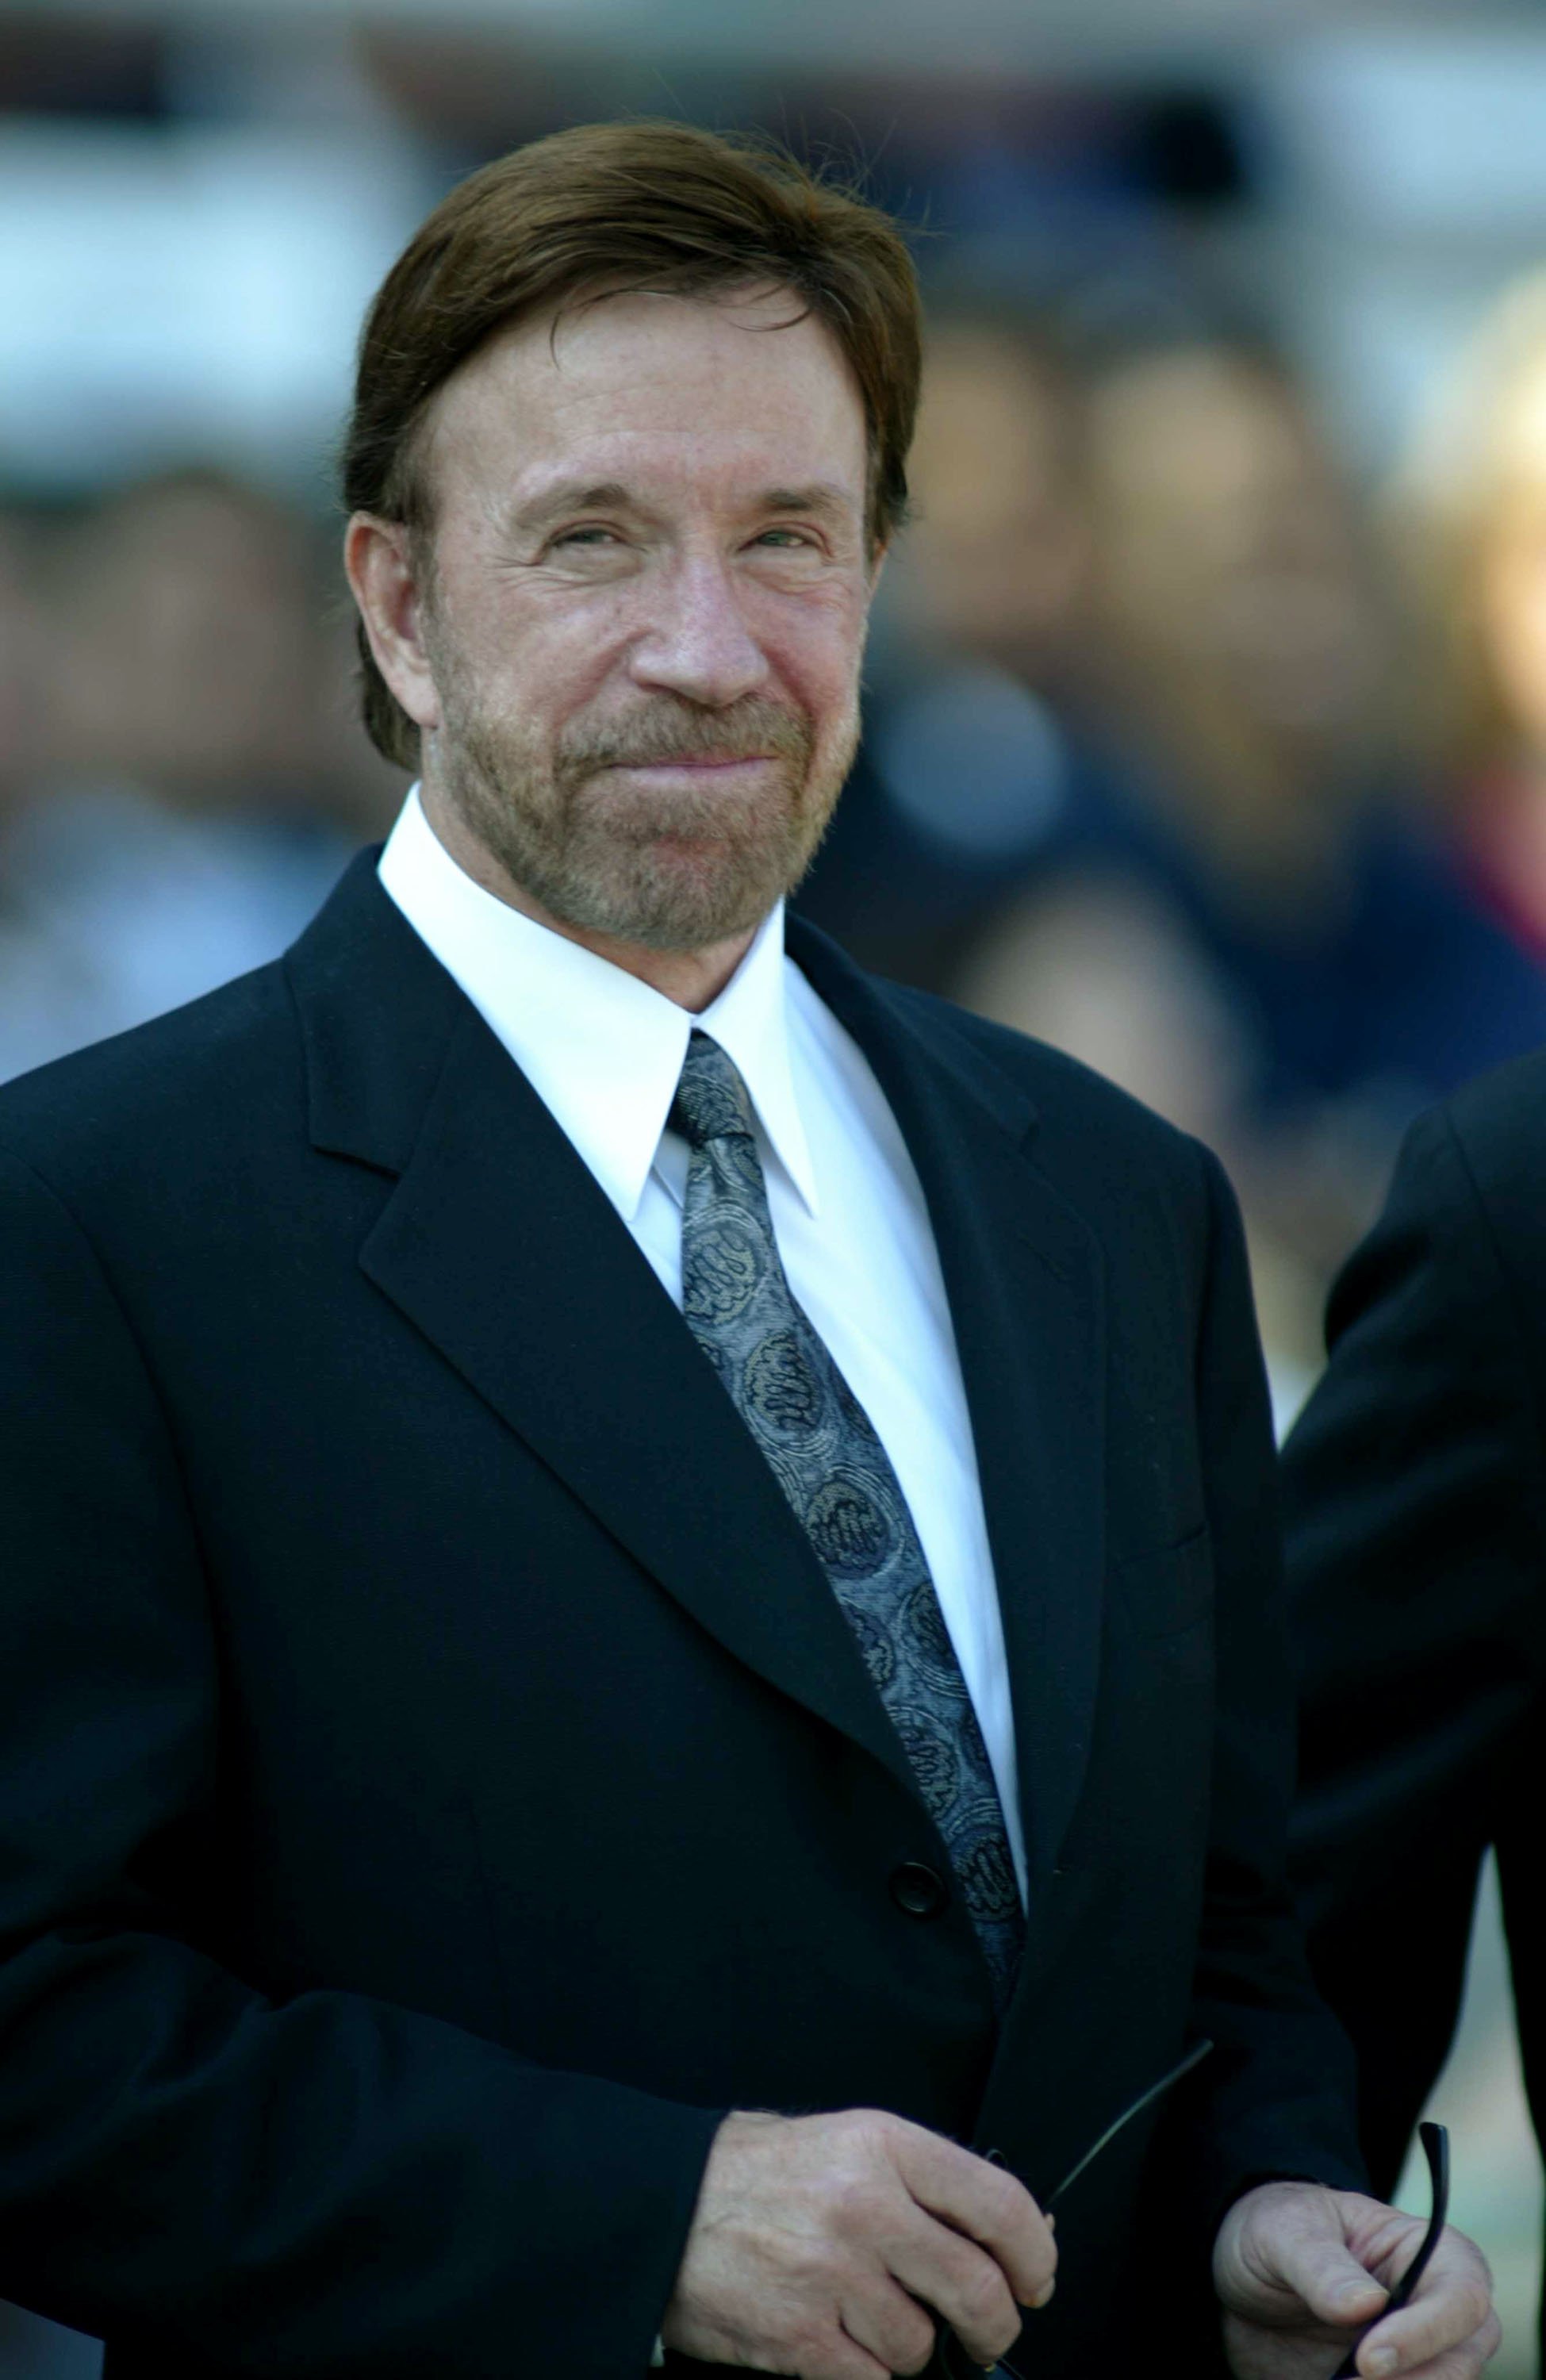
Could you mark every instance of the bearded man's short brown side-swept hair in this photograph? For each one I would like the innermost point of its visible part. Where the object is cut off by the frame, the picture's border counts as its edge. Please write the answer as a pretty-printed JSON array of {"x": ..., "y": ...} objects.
[{"x": 591, "y": 213}]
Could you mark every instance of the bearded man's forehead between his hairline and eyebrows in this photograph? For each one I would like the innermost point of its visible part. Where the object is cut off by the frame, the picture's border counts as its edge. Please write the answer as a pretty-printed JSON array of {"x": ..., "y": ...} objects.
[{"x": 686, "y": 394}]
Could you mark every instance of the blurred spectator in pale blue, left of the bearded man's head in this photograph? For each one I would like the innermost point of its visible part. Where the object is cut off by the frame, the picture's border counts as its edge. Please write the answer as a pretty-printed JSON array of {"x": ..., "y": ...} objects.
[{"x": 172, "y": 820}]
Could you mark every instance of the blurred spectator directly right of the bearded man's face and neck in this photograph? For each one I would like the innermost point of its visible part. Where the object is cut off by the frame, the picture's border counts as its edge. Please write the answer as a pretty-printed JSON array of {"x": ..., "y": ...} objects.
[{"x": 976, "y": 763}]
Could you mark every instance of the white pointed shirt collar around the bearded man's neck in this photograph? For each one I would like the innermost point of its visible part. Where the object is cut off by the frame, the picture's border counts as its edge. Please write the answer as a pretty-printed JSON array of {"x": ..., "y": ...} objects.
[{"x": 601, "y": 1048}]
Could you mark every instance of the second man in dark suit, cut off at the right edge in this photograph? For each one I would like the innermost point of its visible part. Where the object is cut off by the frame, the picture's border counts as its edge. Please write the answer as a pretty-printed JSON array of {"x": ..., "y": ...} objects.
[{"x": 1416, "y": 1503}]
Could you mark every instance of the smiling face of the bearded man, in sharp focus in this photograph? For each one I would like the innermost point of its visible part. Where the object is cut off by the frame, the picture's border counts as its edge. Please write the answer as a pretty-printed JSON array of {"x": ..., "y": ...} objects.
[{"x": 646, "y": 608}]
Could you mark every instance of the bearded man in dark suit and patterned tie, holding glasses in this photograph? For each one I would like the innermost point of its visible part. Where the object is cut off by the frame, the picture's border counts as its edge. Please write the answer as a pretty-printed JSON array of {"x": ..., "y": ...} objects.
[{"x": 643, "y": 1674}]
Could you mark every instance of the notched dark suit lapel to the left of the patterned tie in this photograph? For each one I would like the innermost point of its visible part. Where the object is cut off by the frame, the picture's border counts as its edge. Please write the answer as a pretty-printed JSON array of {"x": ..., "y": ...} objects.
[{"x": 505, "y": 1253}]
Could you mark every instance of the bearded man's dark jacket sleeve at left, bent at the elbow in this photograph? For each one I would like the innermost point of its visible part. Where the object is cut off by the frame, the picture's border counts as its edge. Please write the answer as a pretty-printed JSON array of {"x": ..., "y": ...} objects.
[{"x": 327, "y": 2188}]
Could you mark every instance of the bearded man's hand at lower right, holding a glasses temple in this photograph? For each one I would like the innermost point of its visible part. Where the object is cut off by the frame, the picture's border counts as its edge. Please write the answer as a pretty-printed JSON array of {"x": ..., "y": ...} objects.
[{"x": 1302, "y": 2269}]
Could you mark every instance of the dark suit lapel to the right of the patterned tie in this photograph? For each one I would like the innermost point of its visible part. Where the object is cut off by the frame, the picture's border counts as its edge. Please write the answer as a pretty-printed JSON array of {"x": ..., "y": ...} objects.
[{"x": 1026, "y": 1291}]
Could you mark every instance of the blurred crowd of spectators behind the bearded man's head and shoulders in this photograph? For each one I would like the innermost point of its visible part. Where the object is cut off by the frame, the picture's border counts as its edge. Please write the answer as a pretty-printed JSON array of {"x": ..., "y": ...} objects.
[{"x": 1181, "y": 751}]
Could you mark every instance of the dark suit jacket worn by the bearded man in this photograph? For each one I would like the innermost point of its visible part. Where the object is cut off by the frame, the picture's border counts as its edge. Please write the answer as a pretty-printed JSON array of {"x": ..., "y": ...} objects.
[{"x": 436, "y": 1779}]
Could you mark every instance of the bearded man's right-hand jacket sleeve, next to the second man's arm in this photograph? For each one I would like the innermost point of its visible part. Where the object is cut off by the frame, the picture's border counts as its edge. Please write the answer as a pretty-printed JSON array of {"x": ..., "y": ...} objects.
[{"x": 1278, "y": 2093}]
